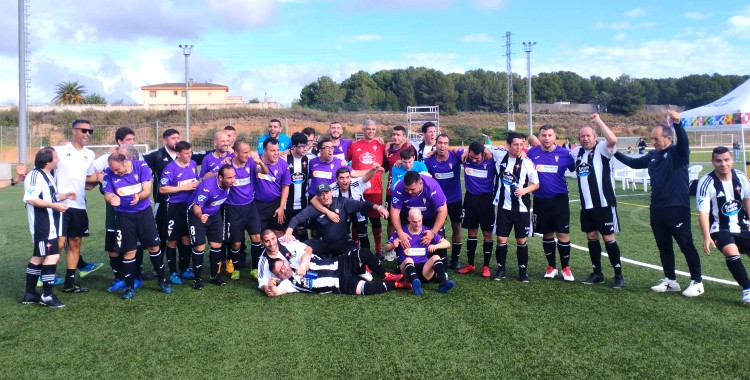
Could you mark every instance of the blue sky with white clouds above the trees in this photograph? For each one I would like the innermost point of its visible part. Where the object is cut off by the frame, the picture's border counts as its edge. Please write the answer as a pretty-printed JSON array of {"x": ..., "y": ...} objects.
[{"x": 276, "y": 47}]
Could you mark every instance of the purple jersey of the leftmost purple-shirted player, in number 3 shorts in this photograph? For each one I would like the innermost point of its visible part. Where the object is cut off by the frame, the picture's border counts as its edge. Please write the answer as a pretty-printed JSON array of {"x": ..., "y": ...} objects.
[{"x": 127, "y": 185}]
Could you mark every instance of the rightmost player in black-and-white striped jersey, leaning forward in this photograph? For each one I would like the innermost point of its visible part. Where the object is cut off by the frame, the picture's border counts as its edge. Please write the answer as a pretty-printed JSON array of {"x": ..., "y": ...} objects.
[{"x": 723, "y": 200}]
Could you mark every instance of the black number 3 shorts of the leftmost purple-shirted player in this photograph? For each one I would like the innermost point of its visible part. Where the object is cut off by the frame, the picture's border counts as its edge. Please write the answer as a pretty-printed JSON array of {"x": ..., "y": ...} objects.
[{"x": 134, "y": 229}]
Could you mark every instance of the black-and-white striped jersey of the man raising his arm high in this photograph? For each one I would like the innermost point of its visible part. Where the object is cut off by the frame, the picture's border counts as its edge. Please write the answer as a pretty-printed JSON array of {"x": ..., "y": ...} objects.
[{"x": 596, "y": 182}]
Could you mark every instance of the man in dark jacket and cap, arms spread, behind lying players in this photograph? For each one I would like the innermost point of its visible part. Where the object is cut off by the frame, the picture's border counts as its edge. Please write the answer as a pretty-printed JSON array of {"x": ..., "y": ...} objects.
[{"x": 334, "y": 235}]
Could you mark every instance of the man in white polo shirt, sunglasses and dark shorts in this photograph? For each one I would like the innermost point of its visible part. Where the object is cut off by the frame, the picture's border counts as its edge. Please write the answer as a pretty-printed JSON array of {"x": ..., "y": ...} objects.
[{"x": 70, "y": 176}]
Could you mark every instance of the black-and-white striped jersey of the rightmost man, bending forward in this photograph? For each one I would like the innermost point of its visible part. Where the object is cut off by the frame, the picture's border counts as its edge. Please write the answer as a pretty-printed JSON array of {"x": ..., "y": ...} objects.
[{"x": 723, "y": 201}]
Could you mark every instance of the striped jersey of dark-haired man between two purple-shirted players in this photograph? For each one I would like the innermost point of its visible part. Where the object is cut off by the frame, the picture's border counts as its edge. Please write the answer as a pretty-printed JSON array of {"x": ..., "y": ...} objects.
[{"x": 512, "y": 173}]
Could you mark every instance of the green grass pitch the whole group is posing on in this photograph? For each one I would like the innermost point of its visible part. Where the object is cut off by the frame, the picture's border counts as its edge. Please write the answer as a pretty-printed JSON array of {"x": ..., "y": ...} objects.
[{"x": 481, "y": 329}]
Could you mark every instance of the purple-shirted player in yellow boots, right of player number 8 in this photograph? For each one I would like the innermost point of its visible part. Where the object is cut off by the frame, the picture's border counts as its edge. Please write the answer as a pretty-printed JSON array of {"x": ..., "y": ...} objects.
[{"x": 240, "y": 209}]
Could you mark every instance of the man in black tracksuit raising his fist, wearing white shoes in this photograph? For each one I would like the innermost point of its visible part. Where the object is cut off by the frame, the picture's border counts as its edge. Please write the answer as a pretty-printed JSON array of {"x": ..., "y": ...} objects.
[{"x": 670, "y": 202}]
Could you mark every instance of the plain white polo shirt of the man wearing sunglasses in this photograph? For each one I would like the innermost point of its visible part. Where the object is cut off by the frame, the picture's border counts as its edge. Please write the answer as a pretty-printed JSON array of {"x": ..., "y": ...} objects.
[{"x": 70, "y": 175}]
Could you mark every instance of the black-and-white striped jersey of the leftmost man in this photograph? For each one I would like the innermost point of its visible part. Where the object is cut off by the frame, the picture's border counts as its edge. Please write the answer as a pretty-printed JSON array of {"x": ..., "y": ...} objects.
[{"x": 43, "y": 221}]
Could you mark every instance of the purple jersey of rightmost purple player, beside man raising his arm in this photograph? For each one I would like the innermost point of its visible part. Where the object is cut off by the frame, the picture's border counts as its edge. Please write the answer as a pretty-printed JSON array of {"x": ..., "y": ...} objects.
[{"x": 551, "y": 168}]
